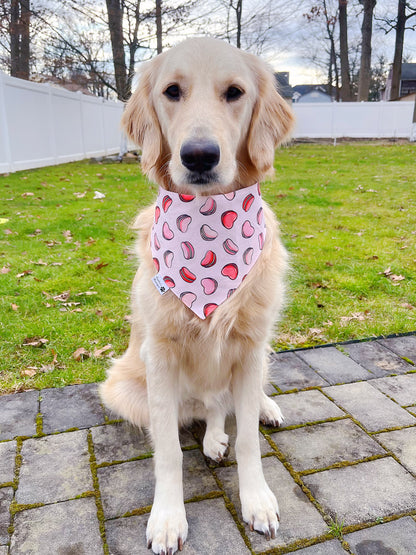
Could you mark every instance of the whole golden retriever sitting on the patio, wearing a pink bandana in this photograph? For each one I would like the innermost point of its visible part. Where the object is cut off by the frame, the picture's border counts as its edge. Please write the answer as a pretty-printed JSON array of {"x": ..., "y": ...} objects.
[{"x": 208, "y": 118}]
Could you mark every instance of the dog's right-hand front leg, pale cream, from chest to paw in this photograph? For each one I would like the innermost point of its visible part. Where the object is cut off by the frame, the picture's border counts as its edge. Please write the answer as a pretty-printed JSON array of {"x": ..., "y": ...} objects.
[{"x": 258, "y": 503}]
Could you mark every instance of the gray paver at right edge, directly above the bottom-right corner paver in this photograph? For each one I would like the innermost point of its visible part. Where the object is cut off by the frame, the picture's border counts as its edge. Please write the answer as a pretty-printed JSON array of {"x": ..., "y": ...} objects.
[{"x": 364, "y": 492}]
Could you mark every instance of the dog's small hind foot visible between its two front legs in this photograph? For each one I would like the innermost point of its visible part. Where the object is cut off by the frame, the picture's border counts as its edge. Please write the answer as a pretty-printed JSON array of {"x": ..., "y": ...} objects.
[{"x": 215, "y": 443}]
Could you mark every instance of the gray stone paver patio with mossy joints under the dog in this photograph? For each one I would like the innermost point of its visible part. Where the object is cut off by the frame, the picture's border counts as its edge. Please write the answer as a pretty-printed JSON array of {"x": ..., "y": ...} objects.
[{"x": 343, "y": 466}]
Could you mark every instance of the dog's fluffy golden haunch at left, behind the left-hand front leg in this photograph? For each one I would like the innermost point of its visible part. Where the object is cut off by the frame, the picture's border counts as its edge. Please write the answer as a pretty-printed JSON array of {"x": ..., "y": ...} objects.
[{"x": 124, "y": 392}]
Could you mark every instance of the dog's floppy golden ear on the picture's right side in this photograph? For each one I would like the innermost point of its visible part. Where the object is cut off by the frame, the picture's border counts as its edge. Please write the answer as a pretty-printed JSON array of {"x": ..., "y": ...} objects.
[{"x": 271, "y": 122}]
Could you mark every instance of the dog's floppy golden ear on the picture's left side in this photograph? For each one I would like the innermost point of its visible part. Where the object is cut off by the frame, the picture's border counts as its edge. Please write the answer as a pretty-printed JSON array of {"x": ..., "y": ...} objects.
[{"x": 140, "y": 121}]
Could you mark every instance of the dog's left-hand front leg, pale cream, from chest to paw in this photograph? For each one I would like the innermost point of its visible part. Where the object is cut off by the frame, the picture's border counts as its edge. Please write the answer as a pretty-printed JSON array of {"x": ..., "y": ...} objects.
[{"x": 167, "y": 527}]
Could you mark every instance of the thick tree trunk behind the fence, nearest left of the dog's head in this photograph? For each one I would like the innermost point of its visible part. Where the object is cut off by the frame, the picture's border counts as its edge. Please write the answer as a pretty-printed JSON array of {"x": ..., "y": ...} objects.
[{"x": 115, "y": 23}]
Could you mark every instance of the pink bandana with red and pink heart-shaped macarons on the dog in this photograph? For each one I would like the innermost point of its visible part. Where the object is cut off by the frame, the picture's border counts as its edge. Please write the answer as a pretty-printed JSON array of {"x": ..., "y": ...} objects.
[{"x": 203, "y": 247}]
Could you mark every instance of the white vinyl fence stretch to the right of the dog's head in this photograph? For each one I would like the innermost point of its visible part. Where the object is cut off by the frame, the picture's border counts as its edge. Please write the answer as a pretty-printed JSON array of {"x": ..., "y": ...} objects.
[{"x": 361, "y": 120}]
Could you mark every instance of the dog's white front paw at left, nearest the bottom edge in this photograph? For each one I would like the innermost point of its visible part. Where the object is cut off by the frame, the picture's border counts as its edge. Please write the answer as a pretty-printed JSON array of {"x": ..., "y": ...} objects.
[{"x": 167, "y": 529}]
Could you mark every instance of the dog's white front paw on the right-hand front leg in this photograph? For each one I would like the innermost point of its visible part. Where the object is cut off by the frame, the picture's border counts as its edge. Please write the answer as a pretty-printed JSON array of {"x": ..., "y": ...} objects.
[{"x": 261, "y": 511}]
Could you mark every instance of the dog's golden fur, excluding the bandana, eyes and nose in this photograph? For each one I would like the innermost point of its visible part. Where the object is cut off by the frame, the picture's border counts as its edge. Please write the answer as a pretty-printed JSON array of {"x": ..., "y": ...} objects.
[{"x": 177, "y": 364}]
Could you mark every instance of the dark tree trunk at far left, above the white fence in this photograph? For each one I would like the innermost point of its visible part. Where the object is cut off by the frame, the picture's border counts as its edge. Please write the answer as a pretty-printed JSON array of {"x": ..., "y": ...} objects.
[{"x": 20, "y": 38}]
